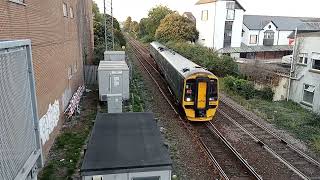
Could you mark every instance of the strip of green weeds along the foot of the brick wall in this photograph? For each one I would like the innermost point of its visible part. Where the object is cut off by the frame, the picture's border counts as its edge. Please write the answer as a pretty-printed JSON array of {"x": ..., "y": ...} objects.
[{"x": 65, "y": 154}]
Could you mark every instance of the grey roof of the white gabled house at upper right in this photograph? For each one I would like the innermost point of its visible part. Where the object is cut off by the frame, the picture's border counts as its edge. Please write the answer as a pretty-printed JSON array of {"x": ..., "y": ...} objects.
[{"x": 283, "y": 23}]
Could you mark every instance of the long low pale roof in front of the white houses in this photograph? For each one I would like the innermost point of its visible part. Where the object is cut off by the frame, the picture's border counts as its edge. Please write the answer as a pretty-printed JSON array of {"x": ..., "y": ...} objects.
[{"x": 250, "y": 49}]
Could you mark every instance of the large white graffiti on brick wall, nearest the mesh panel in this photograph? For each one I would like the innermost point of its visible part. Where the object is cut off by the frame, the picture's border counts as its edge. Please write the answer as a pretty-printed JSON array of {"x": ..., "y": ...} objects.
[{"x": 49, "y": 121}]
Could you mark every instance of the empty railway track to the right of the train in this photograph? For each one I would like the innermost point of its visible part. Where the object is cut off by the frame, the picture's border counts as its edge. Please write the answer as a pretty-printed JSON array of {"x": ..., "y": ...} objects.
[{"x": 297, "y": 161}]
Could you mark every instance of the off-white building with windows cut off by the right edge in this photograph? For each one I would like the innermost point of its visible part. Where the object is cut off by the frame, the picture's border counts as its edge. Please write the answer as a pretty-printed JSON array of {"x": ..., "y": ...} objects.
[{"x": 305, "y": 86}]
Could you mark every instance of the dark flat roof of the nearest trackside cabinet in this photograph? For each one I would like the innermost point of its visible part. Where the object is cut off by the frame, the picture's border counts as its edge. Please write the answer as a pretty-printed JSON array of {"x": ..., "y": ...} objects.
[{"x": 126, "y": 142}]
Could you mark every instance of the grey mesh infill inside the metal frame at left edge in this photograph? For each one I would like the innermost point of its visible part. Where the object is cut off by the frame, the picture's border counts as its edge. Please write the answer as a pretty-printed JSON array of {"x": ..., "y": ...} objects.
[{"x": 17, "y": 134}]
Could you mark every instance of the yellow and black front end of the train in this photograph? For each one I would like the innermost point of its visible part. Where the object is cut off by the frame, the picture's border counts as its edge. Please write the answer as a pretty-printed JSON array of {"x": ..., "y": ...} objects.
[{"x": 200, "y": 97}]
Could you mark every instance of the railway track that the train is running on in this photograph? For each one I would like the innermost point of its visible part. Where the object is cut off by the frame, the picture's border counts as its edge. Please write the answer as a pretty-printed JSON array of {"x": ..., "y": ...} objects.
[{"x": 226, "y": 159}]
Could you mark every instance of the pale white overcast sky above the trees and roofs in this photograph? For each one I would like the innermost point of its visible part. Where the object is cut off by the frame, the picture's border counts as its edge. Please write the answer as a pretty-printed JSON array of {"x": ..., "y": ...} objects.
[{"x": 138, "y": 9}]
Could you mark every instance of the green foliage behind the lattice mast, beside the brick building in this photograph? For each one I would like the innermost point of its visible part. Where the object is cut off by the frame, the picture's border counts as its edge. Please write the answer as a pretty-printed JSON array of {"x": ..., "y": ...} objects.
[{"x": 99, "y": 36}]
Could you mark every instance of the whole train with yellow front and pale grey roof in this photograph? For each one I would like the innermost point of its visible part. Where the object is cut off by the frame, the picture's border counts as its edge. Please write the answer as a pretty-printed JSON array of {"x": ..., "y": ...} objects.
[{"x": 194, "y": 88}]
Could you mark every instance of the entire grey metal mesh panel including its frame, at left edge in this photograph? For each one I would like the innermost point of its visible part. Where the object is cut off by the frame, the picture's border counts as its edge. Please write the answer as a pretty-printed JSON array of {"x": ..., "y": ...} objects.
[{"x": 20, "y": 148}]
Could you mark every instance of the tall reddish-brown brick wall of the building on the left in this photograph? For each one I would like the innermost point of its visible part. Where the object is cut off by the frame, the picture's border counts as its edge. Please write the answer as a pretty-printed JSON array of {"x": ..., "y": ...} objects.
[{"x": 58, "y": 43}]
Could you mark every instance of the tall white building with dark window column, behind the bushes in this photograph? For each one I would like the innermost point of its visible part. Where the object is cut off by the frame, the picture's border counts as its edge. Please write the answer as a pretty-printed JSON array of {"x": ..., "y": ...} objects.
[{"x": 219, "y": 23}]
